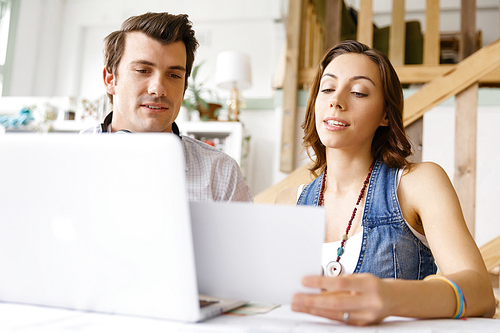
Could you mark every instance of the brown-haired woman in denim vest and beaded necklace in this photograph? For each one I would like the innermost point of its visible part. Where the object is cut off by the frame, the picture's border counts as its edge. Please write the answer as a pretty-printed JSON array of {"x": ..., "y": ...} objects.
[{"x": 387, "y": 219}]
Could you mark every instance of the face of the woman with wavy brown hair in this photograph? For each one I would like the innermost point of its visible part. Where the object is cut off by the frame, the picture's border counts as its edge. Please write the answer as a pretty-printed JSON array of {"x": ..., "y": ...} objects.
[{"x": 350, "y": 103}]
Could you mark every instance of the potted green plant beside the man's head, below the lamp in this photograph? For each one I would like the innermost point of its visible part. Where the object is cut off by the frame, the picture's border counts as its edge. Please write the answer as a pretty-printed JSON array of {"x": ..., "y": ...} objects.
[{"x": 194, "y": 100}]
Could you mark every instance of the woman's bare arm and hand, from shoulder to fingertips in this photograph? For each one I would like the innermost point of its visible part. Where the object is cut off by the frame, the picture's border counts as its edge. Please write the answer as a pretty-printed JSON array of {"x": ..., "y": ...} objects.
[{"x": 425, "y": 195}]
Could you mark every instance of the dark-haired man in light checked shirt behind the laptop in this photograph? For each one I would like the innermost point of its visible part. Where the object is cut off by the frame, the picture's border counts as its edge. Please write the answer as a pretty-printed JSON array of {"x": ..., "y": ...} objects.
[{"x": 147, "y": 65}]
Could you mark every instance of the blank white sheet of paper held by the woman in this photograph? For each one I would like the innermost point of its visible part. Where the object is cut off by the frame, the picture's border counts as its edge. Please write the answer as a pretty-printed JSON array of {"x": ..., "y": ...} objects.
[{"x": 256, "y": 252}]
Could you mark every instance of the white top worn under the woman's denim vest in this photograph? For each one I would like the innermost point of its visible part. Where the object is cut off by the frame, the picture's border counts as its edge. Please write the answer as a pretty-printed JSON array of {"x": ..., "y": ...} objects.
[{"x": 352, "y": 247}]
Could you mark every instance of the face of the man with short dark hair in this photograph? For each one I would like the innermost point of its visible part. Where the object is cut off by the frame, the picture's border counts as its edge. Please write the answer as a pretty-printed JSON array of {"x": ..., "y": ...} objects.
[{"x": 148, "y": 86}]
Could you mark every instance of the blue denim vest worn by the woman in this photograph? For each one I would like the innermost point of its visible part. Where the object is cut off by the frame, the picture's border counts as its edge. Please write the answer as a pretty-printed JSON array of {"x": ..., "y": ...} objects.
[{"x": 389, "y": 248}]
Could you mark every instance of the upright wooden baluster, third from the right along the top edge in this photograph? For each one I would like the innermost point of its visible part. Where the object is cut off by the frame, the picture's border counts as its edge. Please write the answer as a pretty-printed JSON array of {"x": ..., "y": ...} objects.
[{"x": 397, "y": 33}]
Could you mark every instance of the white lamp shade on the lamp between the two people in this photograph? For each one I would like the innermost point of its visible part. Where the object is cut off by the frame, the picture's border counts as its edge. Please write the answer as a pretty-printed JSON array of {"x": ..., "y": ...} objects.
[{"x": 233, "y": 70}]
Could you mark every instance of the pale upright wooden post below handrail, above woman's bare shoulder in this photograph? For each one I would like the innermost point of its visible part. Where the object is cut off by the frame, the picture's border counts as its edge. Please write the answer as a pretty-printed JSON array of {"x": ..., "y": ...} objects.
[{"x": 465, "y": 152}]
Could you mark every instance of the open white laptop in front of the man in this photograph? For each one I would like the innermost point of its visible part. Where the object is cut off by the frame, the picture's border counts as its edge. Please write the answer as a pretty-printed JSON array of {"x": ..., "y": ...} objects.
[{"x": 102, "y": 223}]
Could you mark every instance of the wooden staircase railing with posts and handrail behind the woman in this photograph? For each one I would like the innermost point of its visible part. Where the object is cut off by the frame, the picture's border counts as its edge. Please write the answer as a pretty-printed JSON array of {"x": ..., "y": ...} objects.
[{"x": 309, "y": 34}]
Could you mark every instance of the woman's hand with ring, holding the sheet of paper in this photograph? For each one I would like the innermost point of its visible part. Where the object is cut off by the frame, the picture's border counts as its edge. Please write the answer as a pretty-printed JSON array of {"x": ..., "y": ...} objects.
[{"x": 358, "y": 299}]
